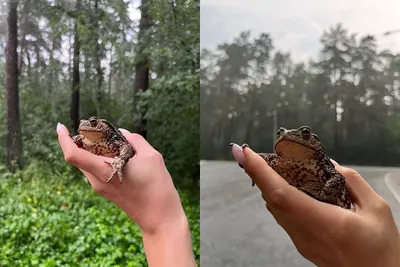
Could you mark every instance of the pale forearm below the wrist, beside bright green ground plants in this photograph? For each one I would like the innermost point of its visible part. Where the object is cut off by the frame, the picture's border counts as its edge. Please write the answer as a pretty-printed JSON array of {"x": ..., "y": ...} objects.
[{"x": 171, "y": 247}]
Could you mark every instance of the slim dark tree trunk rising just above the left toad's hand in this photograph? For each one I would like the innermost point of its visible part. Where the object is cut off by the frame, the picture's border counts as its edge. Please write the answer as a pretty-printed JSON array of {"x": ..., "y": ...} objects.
[{"x": 75, "y": 78}]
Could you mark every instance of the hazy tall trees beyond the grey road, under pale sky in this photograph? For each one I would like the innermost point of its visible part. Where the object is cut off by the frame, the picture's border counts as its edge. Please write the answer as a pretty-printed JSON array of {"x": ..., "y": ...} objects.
[{"x": 349, "y": 95}]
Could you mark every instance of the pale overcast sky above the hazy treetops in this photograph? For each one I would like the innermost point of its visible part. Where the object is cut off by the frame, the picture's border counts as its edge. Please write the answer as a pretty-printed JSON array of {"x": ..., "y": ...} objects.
[{"x": 297, "y": 25}]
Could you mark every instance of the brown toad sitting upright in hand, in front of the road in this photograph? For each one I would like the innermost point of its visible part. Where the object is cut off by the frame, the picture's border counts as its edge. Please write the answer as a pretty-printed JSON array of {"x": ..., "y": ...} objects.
[{"x": 301, "y": 160}]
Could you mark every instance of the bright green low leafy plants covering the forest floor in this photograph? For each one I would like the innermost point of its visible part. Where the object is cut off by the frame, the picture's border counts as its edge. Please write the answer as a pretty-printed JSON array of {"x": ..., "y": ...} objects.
[{"x": 50, "y": 219}]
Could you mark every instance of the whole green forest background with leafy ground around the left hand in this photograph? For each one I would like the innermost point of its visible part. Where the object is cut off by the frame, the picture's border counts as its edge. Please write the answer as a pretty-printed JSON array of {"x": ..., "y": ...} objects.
[{"x": 134, "y": 63}]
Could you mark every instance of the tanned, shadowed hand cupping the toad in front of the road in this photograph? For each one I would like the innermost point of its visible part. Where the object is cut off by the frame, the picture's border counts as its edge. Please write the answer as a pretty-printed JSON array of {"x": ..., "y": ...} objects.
[{"x": 325, "y": 234}]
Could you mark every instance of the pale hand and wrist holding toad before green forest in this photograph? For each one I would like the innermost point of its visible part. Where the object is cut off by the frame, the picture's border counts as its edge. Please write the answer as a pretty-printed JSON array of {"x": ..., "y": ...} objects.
[{"x": 147, "y": 195}]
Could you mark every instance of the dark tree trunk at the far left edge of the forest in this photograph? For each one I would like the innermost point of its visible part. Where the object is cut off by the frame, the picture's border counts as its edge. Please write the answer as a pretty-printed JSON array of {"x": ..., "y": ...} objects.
[{"x": 14, "y": 144}]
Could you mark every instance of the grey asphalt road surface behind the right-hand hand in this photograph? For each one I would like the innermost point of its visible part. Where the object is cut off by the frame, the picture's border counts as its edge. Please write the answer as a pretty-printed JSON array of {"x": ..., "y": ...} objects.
[{"x": 237, "y": 231}]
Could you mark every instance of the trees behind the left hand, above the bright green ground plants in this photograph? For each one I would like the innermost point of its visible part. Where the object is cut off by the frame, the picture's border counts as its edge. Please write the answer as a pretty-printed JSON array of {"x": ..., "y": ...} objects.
[{"x": 69, "y": 60}]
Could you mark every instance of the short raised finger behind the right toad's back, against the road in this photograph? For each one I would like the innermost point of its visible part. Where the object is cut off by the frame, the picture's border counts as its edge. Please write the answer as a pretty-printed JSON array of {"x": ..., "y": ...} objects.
[{"x": 361, "y": 192}]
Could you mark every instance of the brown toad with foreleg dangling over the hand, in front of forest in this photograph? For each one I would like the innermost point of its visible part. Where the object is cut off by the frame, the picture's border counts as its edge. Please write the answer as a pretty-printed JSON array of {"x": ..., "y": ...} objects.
[{"x": 100, "y": 137}]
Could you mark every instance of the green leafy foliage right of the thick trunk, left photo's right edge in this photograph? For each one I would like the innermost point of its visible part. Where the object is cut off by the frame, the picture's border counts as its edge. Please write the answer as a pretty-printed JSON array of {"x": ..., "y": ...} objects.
[{"x": 173, "y": 97}]
